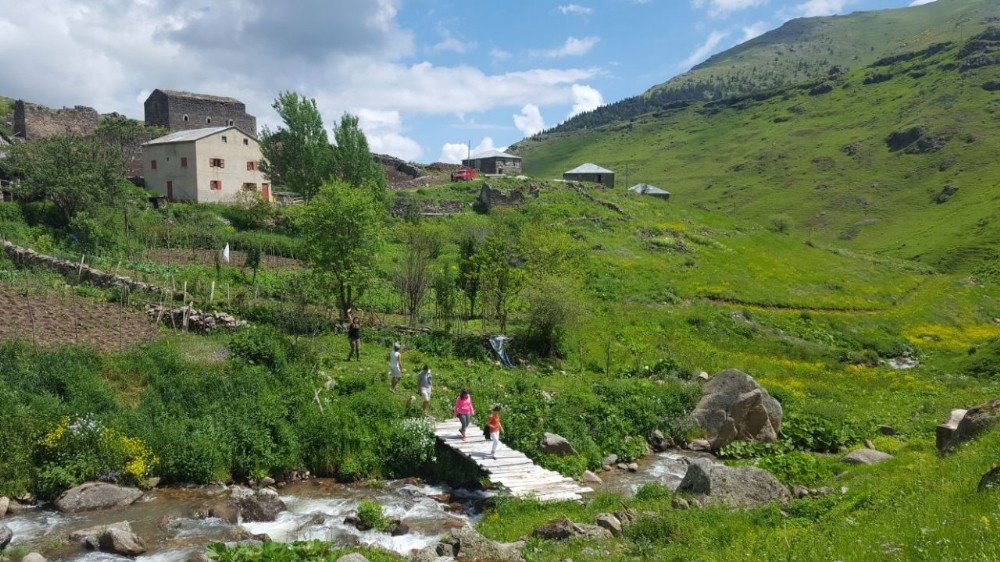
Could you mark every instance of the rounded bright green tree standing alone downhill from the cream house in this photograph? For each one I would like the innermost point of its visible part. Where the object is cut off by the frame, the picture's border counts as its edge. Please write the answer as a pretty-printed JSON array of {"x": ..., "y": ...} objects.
[{"x": 343, "y": 232}]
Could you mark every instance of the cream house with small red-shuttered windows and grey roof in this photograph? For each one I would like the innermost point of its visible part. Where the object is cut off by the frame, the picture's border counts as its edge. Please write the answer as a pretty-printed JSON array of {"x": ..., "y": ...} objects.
[{"x": 211, "y": 165}]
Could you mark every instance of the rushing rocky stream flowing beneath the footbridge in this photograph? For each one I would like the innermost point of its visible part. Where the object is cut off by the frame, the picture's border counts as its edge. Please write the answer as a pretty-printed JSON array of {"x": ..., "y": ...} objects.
[{"x": 166, "y": 518}]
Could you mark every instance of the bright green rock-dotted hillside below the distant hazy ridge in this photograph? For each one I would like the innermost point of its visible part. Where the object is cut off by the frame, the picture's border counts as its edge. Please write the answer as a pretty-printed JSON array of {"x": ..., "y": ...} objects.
[{"x": 896, "y": 158}]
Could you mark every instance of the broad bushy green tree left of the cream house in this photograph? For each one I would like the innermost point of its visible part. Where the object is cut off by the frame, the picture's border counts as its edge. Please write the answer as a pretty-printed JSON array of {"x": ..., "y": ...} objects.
[{"x": 73, "y": 173}]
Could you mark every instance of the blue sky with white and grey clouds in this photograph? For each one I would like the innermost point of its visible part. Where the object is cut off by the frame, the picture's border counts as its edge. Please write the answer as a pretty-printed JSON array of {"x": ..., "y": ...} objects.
[{"x": 427, "y": 78}]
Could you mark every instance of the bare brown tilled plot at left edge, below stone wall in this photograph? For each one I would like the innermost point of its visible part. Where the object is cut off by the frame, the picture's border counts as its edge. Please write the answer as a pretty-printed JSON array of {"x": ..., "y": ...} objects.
[{"x": 58, "y": 319}]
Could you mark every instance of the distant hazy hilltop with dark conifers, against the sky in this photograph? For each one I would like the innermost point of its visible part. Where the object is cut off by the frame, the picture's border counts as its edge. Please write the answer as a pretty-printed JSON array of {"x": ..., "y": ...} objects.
[{"x": 804, "y": 49}]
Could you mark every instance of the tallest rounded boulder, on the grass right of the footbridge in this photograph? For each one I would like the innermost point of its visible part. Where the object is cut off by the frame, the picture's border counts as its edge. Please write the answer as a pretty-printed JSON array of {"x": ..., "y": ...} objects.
[{"x": 733, "y": 406}]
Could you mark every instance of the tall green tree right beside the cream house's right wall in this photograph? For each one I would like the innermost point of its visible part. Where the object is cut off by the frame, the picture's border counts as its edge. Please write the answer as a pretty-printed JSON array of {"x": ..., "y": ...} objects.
[{"x": 298, "y": 155}]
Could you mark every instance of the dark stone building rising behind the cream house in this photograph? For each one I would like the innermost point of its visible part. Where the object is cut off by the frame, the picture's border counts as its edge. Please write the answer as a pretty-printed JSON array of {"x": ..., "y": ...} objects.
[{"x": 183, "y": 111}]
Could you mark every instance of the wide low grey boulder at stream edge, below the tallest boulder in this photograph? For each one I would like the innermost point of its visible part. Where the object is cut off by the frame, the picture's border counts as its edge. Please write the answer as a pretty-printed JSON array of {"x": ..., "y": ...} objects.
[{"x": 744, "y": 486}]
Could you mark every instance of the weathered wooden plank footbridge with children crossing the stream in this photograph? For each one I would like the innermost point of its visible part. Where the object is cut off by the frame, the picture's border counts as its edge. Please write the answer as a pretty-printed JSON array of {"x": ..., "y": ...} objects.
[{"x": 511, "y": 469}]
